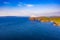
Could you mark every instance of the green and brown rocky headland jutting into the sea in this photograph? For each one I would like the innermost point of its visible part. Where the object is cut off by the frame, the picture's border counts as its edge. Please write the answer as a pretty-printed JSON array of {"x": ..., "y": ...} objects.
[{"x": 55, "y": 19}]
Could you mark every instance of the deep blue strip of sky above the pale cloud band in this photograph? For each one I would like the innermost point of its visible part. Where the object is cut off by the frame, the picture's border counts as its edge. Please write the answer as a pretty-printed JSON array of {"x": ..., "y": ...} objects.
[{"x": 35, "y": 2}]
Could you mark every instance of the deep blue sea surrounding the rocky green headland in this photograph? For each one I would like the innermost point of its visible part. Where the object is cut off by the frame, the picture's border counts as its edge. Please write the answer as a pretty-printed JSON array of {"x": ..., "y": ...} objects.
[{"x": 21, "y": 28}]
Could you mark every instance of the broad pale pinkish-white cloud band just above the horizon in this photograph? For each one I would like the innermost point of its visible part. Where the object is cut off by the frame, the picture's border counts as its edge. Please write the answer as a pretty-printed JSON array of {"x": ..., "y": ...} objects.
[{"x": 27, "y": 11}]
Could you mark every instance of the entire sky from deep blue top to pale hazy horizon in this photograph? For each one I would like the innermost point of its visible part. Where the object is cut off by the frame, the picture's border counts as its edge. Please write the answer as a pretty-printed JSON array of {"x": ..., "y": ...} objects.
[{"x": 29, "y": 7}]
